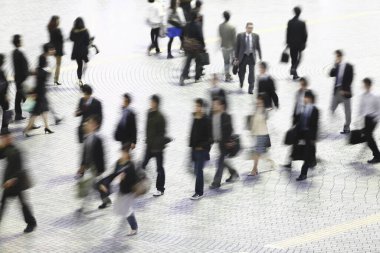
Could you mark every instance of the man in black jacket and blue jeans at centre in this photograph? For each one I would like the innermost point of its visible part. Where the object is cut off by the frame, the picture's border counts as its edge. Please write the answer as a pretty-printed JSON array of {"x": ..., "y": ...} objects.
[{"x": 200, "y": 141}]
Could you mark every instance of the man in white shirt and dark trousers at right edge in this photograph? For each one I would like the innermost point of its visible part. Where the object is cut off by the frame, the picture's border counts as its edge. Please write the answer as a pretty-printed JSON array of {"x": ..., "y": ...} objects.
[{"x": 370, "y": 111}]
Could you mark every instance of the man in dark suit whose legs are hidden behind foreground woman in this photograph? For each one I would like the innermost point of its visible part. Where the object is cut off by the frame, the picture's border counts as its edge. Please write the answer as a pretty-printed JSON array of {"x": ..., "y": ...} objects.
[{"x": 126, "y": 130}]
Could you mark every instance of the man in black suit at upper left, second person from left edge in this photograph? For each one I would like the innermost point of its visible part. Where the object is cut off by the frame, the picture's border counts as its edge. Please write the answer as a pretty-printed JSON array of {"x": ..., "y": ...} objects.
[{"x": 21, "y": 72}]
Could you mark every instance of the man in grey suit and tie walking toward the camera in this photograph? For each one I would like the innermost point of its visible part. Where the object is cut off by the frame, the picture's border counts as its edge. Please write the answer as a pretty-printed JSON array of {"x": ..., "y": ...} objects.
[{"x": 247, "y": 44}]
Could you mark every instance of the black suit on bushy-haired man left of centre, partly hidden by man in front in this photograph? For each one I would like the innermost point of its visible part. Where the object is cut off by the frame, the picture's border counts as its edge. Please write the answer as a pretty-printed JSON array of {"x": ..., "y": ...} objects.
[{"x": 86, "y": 109}]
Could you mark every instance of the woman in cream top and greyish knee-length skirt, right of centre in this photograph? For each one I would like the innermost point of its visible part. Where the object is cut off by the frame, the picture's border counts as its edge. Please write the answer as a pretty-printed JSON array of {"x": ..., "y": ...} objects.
[{"x": 257, "y": 124}]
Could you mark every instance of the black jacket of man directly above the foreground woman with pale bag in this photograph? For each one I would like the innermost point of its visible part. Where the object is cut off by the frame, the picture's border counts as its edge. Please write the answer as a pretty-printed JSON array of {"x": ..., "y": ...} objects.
[{"x": 127, "y": 132}]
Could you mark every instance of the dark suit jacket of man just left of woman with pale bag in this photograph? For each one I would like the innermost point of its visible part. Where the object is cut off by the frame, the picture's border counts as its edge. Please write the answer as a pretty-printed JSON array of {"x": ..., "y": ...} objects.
[{"x": 96, "y": 155}]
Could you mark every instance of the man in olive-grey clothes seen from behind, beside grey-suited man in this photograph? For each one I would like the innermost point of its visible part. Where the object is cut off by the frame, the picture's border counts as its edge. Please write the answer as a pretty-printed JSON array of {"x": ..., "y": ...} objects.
[{"x": 227, "y": 34}]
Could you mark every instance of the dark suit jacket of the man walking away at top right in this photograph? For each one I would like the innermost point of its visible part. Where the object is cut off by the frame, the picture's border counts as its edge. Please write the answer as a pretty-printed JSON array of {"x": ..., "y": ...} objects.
[{"x": 296, "y": 34}]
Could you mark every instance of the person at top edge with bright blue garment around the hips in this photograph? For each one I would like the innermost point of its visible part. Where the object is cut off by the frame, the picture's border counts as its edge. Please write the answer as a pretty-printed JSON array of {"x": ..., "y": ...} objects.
[{"x": 176, "y": 22}]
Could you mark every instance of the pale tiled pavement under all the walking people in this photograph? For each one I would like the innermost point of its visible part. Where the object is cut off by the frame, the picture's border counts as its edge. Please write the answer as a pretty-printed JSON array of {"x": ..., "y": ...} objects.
[{"x": 335, "y": 210}]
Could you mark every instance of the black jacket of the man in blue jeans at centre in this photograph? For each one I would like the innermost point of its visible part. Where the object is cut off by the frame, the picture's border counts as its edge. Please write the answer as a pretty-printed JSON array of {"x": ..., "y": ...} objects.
[{"x": 201, "y": 135}]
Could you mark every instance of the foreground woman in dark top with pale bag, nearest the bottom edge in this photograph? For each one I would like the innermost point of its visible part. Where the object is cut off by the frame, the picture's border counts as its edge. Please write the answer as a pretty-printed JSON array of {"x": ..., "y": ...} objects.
[{"x": 126, "y": 197}]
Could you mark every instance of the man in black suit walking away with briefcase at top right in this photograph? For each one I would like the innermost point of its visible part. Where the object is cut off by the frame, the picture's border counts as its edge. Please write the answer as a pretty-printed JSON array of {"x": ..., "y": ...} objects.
[{"x": 296, "y": 37}]
